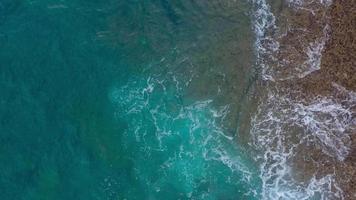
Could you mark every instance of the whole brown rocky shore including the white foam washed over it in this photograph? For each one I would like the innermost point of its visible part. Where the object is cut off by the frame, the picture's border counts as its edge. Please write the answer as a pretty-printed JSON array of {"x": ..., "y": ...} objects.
[{"x": 313, "y": 74}]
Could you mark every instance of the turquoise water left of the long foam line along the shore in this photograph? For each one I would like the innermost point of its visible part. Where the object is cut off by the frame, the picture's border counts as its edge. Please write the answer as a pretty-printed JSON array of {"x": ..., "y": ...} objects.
[{"x": 125, "y": 99}]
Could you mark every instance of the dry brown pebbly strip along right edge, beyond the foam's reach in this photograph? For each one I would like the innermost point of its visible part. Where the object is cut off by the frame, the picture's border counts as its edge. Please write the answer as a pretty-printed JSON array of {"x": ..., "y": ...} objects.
[{"x": 339, "y": 66}]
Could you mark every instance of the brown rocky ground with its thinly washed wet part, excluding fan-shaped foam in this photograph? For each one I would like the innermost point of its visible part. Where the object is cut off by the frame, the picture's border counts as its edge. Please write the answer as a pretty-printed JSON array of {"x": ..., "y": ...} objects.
[{"x": 300, "y": 26}]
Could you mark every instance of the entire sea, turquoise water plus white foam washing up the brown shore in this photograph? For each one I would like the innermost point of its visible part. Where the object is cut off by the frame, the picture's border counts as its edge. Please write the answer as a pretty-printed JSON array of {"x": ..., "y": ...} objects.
[{"x": 156, "y": 99}]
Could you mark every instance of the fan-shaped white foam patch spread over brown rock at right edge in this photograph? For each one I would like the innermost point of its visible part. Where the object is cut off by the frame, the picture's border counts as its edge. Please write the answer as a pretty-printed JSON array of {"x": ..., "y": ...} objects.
[{"x": 327, "y": 121}]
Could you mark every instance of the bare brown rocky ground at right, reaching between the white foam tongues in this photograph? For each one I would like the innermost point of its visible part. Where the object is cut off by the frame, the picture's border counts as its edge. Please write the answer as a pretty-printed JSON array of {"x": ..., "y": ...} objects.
[{"x": 338, "y": 65}]
